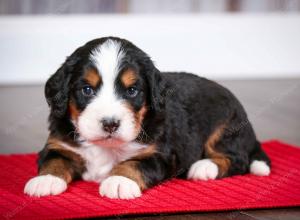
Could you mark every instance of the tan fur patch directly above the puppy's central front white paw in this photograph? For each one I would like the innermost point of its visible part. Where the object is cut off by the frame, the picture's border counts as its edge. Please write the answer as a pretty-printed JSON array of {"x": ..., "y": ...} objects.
[{"x": 129, "y": 169}]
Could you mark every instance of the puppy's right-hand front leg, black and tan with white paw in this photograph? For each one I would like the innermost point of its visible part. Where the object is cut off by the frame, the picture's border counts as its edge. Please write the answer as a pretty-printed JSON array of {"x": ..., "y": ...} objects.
[{"x": 128, "y": 179}]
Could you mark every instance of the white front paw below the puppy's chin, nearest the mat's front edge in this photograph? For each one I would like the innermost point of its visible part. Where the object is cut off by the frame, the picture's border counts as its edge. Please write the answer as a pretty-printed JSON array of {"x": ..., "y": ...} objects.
[{"x": 119, "y": 187}]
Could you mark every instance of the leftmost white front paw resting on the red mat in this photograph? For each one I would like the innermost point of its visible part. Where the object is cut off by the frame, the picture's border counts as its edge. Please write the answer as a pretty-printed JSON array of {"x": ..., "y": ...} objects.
[{"x": 45, "y": 185}]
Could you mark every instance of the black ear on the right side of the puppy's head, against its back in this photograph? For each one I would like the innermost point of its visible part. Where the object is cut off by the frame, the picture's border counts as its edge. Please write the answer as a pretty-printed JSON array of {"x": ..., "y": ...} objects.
[{"x": 156, "y": 88}]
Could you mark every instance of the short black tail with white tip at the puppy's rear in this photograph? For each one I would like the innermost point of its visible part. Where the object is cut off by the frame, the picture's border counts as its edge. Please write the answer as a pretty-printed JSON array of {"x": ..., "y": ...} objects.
[{"x": 260, "y": 163}]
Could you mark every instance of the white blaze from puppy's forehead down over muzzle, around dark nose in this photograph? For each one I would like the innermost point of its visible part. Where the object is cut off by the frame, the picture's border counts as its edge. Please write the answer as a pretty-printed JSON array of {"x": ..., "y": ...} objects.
[{"x": 107, "y": 59}]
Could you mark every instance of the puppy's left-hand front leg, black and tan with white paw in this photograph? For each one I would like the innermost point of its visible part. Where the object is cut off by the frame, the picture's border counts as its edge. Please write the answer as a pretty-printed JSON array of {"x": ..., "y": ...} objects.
[{"x": 57, "y": 168}]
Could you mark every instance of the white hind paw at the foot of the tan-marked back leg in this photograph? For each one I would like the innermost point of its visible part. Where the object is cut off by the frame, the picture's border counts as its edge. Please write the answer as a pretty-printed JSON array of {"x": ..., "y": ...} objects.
[{"x": 203, "y": 170}]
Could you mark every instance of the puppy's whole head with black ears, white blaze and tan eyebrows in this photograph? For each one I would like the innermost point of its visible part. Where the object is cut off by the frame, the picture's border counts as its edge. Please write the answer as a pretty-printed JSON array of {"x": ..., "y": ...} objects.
[{"x": 105, "y": 88}]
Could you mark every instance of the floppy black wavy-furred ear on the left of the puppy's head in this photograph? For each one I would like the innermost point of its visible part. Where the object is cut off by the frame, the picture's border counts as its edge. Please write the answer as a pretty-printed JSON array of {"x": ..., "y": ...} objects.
[{"x": 57, "y": 91}]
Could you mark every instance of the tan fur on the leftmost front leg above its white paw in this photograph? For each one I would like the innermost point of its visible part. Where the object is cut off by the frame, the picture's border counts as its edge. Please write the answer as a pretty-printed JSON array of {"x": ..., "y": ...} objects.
[{"x": 59, "y": 166}]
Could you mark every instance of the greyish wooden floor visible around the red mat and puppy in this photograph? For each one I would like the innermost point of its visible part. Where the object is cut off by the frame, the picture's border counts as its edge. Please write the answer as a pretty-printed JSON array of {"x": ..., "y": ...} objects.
[{"x": 273, "y": 107}]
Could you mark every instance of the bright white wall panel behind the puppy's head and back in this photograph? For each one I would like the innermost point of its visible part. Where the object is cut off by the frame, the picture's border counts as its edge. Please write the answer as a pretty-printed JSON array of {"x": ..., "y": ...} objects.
[{"x": 219, "y": 46}]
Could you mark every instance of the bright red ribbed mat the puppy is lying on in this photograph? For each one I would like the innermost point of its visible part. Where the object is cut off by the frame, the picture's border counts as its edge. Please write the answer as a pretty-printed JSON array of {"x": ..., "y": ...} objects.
[{"x": 280, "y": 189}]
